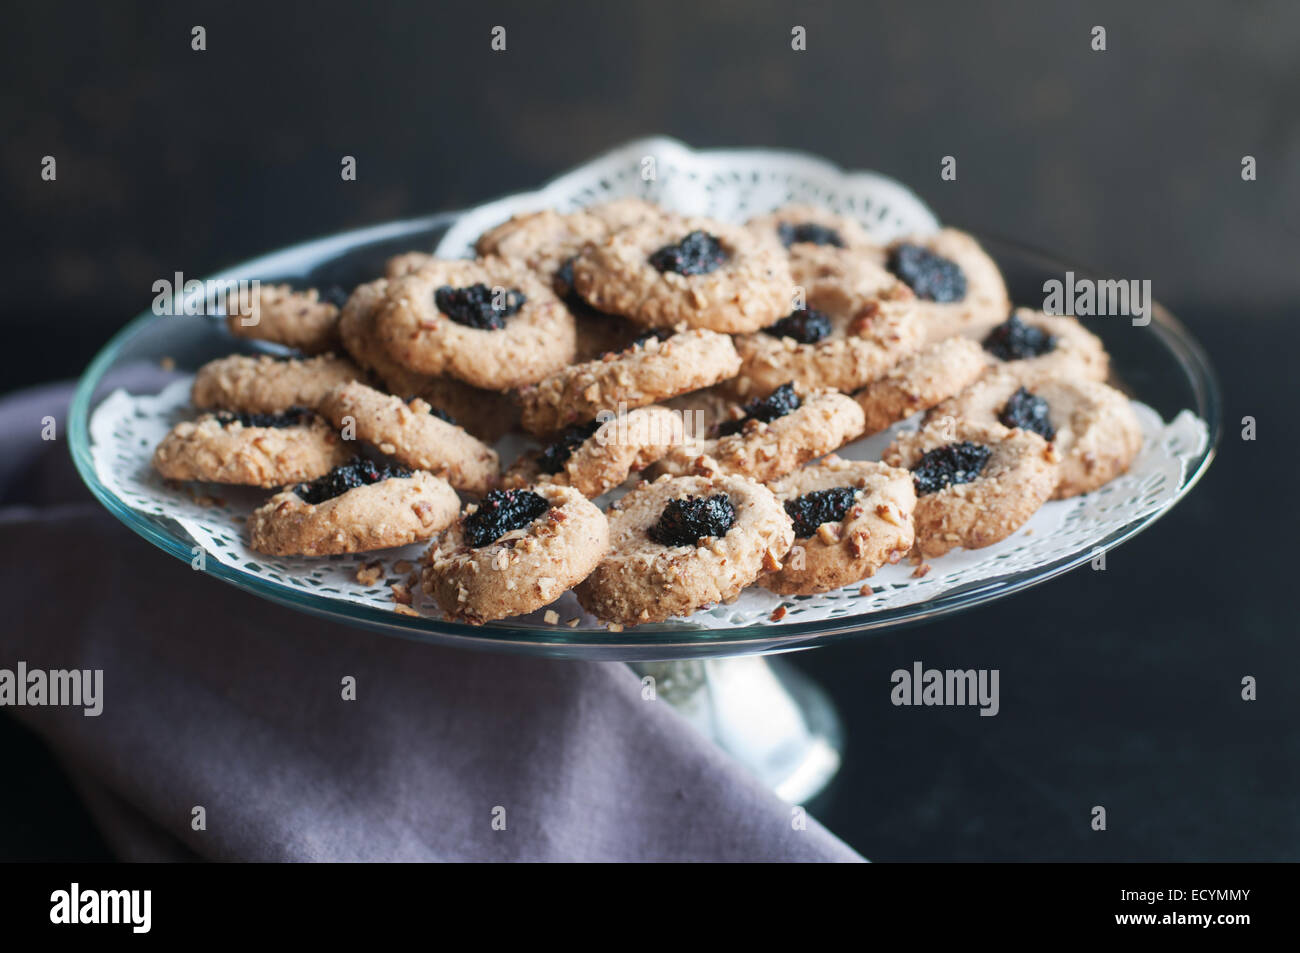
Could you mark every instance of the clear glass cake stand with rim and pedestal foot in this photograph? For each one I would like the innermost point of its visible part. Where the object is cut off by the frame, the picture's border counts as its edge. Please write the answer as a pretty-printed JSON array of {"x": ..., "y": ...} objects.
[{"x": 765, "y": 713}]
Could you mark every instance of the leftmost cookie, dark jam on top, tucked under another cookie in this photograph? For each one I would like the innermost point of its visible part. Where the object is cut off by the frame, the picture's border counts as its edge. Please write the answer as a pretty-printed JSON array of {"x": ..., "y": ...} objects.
[{"x": 250, "y": 449}]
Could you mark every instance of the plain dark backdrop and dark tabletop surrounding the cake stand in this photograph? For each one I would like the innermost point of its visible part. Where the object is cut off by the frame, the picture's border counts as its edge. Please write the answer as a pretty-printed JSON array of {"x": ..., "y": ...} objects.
[{"x": 1119, "y": 688}]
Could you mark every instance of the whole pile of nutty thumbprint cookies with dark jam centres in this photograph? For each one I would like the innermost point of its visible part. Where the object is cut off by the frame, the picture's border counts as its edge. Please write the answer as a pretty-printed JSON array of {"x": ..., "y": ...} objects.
[{"x": 718, "y": 367}]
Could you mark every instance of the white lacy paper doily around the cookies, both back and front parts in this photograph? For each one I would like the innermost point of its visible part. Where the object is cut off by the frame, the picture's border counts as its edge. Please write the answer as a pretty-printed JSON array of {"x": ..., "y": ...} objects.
[{"x": 731, "y": 187}]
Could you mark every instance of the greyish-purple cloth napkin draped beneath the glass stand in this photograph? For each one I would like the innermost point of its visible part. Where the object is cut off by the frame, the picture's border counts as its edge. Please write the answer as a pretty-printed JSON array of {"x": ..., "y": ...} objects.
[{"x": 215, "y": 699}]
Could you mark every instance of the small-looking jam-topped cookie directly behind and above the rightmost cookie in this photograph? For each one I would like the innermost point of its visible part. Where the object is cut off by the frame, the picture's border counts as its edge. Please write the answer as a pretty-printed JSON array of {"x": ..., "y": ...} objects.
[{"x": 1045, "y": 345}]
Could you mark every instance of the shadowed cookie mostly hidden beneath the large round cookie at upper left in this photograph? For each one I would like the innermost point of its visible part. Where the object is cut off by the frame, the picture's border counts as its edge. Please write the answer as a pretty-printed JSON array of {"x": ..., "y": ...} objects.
[{"x": 487, "y": 414}]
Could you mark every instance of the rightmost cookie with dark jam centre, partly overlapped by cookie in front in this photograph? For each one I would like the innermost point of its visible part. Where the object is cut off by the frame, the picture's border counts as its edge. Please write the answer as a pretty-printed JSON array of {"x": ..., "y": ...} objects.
[{"x": 1093, "y": 426}]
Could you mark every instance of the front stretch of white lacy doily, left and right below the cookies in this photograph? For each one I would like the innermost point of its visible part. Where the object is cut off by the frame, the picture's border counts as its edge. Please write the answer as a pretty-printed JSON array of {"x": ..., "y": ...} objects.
[{"x": 125, "y": 430}]
